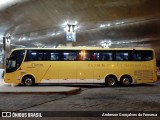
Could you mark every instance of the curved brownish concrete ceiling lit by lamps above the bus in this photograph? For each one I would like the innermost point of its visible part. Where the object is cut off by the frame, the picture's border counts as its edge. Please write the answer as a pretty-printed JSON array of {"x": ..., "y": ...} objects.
[{"x": 40, "y": 23}]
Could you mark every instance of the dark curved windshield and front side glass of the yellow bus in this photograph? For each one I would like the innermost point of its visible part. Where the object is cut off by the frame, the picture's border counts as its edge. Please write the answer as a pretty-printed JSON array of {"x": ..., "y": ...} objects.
[{"x": 14, "y": 61}]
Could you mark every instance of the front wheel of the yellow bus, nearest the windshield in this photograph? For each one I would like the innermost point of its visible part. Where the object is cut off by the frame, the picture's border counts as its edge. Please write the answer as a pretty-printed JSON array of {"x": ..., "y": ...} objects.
[{"x": 28, "y": 80}]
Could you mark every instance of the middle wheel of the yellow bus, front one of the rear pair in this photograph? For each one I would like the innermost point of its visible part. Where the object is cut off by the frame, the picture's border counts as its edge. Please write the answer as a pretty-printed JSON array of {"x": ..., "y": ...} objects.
[{"x": 111, "y": 81}]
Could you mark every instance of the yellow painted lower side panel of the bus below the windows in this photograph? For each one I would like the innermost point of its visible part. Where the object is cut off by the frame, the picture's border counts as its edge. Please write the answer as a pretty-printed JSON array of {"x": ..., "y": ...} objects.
[{"x": 81, "y": 69}]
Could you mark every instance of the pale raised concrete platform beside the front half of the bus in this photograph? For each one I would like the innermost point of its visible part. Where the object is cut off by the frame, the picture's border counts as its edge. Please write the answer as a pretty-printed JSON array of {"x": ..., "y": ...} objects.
[{"x": 8, "y": 88}]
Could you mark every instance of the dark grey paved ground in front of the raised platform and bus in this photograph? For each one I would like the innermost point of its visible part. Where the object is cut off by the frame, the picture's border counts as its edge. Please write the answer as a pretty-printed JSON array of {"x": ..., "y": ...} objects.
[{"x": 93, "y": 97}]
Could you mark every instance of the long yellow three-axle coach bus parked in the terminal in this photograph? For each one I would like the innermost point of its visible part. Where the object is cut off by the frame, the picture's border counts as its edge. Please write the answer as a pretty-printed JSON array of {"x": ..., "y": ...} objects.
[{"x": 110, "y": 66}]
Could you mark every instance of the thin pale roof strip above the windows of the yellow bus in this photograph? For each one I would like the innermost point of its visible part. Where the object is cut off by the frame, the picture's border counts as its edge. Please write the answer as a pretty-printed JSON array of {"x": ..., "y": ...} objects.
[{"x": 82, "y": 48}]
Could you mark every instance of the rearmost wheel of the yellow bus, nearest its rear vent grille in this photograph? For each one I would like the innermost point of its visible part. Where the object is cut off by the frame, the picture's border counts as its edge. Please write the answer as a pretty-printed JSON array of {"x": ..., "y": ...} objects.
[{"x": 126, "y": 80}]
